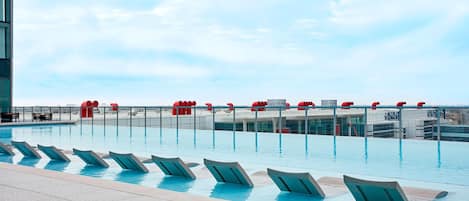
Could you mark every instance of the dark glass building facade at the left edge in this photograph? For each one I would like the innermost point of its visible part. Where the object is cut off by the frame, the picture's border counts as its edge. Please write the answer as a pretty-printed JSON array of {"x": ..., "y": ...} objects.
[{"x": 6, "y": 55}]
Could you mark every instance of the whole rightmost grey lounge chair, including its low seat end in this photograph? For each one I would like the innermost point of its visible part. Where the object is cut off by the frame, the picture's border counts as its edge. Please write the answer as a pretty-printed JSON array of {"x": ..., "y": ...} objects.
[{"x": 364, "y": 190}]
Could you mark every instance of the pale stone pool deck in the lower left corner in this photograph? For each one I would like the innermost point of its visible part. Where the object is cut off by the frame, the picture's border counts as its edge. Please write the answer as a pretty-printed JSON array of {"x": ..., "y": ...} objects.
[{"x": 20, "y": 183}]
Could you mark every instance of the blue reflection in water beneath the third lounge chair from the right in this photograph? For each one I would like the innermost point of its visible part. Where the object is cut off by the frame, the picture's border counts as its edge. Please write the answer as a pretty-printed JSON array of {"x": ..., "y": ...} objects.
[{"x": 231, "y": 192}]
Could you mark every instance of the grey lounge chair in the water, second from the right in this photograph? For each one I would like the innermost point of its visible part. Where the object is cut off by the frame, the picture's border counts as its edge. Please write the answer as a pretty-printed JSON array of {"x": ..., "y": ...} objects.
[{"x": 296, "y": 182}]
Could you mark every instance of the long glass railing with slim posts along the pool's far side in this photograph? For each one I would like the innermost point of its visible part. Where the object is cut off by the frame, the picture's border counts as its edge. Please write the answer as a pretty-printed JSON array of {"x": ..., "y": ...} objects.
[{"x": 427, "y": 123}]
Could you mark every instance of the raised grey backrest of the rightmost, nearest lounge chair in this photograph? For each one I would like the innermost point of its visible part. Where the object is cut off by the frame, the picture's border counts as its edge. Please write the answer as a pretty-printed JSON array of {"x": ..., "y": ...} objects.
[{"x": 364, "y": 190}]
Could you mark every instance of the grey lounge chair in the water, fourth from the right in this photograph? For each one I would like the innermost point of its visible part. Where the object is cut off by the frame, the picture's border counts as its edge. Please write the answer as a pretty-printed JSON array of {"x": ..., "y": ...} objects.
[{"x": 173, "y": 167}]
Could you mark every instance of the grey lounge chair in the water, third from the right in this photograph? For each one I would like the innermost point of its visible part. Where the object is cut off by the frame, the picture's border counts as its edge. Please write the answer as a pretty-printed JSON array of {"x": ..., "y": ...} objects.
[{"x": 228, "y": 172}]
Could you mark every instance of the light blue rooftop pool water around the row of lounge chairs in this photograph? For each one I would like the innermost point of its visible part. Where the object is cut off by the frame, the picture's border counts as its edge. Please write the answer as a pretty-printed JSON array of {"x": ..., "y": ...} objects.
[{"x": 418, "y": 163}]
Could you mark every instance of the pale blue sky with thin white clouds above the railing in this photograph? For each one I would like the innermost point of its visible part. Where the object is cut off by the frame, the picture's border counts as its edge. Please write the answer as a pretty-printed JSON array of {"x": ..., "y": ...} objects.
[{"x": 155, "y": 52}]
